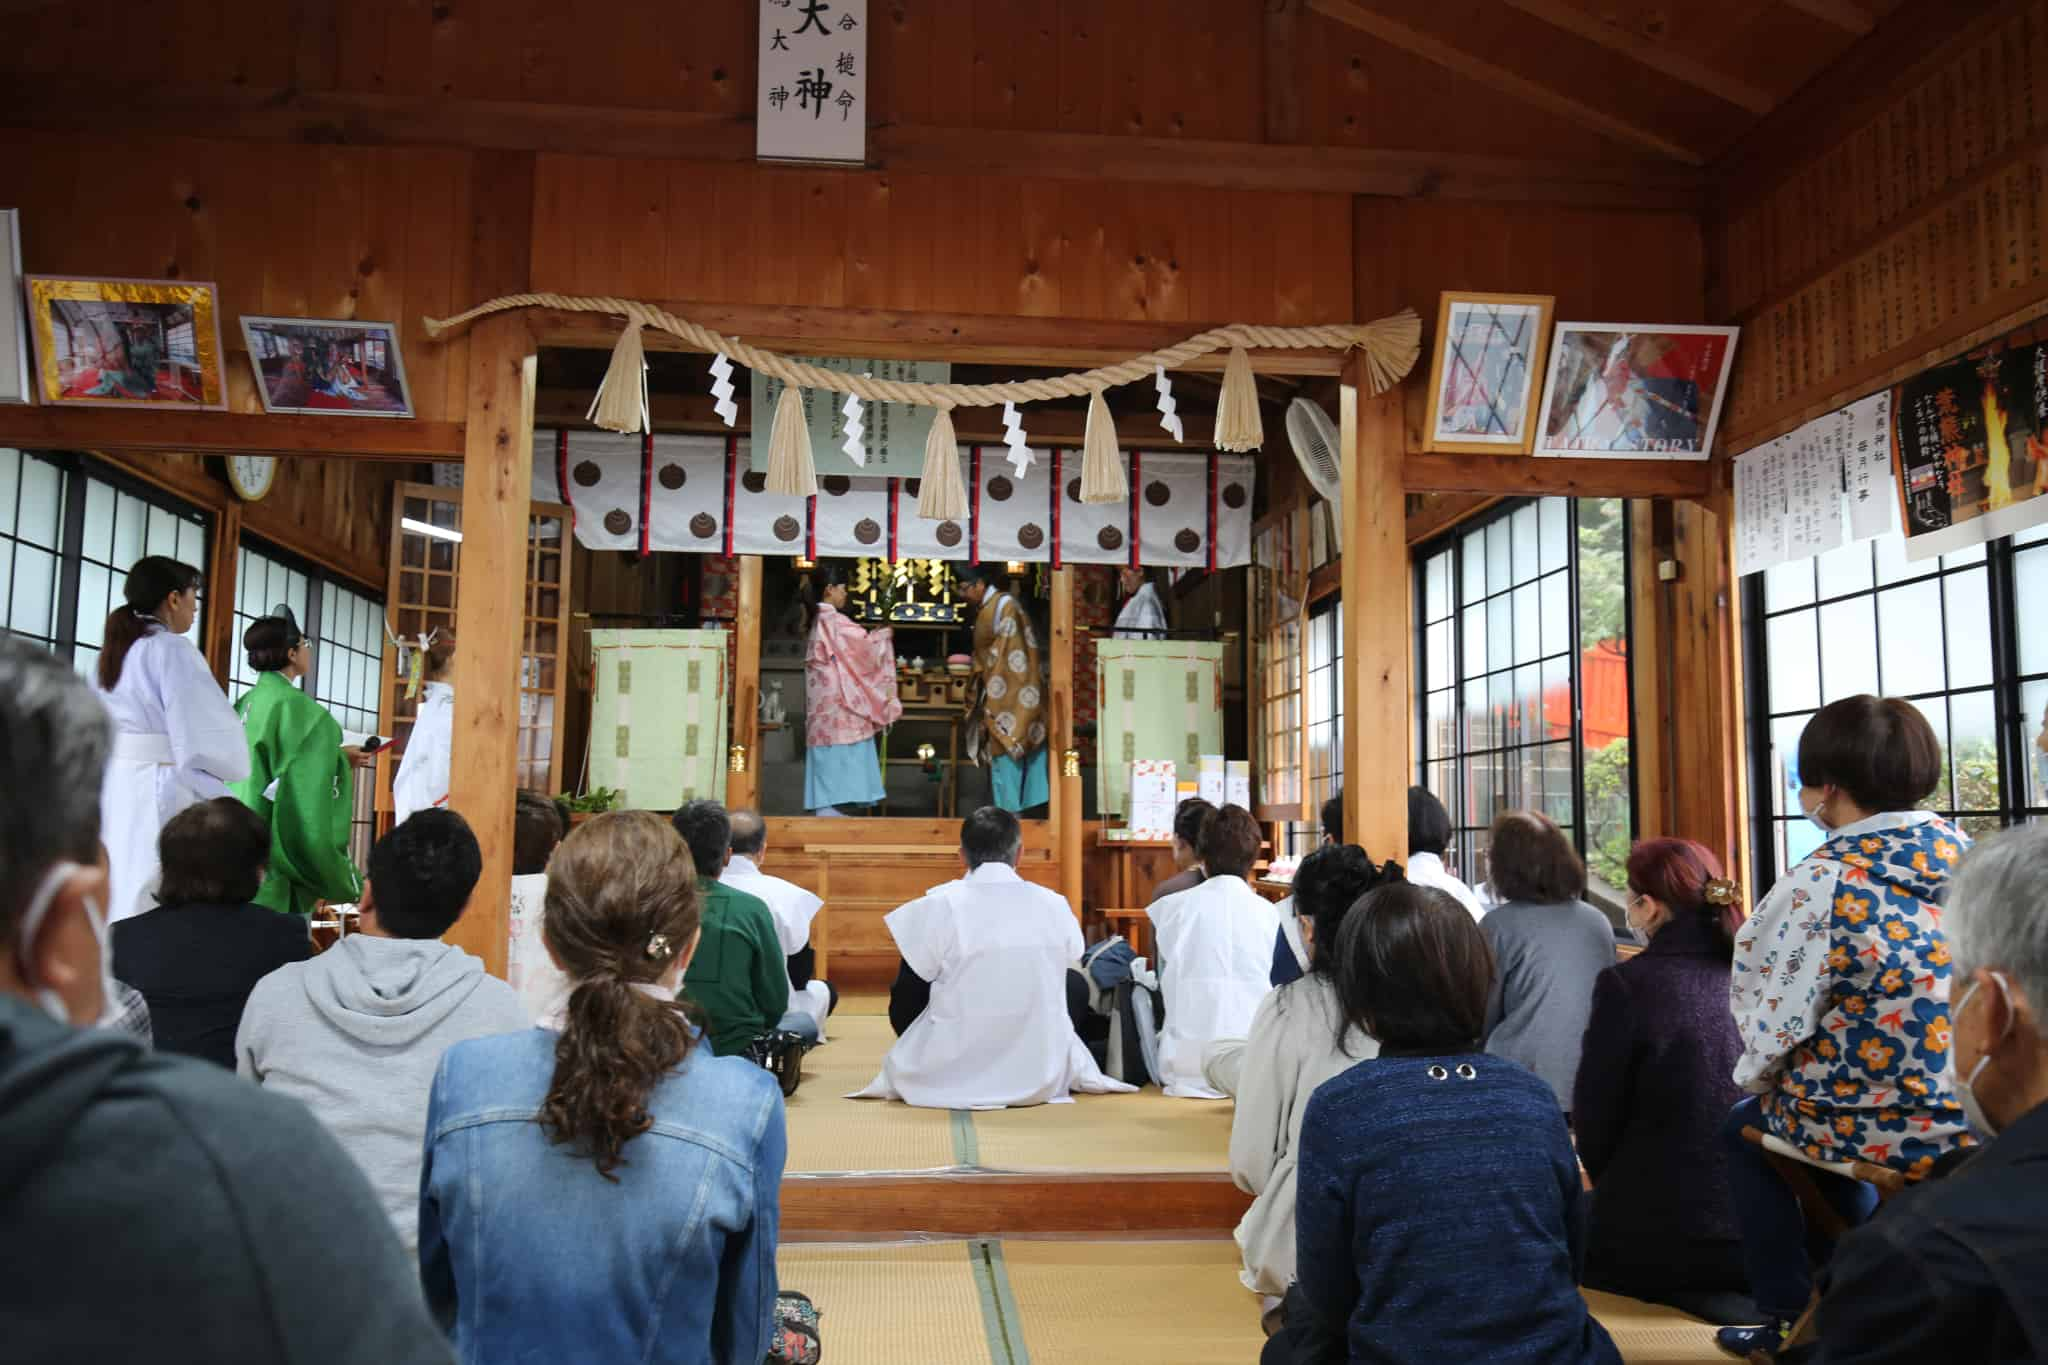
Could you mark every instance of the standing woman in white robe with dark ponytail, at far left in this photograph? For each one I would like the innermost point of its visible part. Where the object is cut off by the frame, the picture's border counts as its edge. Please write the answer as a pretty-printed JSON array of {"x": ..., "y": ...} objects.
[{"x": 177, "y": 740}]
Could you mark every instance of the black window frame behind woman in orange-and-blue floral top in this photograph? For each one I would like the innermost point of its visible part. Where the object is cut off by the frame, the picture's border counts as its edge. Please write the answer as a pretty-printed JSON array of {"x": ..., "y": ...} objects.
[{"x": 2006, "y": 691}]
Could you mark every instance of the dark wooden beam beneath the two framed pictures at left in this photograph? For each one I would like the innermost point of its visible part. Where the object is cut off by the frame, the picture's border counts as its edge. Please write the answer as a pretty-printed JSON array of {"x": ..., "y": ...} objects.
[{"x": 228, "y": 433}]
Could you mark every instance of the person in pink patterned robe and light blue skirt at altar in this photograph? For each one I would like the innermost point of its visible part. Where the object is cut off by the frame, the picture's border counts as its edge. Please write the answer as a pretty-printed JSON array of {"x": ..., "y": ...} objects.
[{"x": 851, "y": 697}]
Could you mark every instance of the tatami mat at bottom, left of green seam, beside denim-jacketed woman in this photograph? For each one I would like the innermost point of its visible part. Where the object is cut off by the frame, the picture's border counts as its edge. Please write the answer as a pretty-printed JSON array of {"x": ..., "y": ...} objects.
[{"x": 894, "y": 1305}]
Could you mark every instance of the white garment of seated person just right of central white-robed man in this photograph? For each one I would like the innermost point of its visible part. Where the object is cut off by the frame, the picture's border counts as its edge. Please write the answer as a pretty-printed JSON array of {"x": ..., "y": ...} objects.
[{"x": 1215, "y": 967}]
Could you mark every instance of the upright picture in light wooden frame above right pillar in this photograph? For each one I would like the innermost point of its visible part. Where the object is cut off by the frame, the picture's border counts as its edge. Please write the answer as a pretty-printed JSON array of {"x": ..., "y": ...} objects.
[{"x": 1486, "y": 371}]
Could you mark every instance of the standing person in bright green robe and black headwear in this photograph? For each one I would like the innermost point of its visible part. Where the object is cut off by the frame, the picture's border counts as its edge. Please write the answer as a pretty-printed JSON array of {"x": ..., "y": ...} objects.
[{"x": 300, "y": 781}]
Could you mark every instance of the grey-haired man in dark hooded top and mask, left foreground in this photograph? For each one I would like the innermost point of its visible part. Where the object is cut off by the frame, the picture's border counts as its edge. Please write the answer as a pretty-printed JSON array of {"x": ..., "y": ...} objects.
[{"x": 159, "y": 1206}]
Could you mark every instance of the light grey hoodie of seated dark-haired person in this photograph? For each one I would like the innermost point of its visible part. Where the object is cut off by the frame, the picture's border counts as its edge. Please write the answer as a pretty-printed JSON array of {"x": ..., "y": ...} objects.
[{"x": 357, "y": 1037}]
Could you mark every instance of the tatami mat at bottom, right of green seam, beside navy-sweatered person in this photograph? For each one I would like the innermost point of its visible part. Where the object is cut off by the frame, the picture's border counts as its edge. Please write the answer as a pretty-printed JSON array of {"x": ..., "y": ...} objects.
[{"x": 1091, "y": 1303}]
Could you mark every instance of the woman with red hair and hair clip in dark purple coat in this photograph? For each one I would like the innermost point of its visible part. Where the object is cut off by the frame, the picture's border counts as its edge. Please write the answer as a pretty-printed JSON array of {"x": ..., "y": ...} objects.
[{"x": 1656, "y": 1086}]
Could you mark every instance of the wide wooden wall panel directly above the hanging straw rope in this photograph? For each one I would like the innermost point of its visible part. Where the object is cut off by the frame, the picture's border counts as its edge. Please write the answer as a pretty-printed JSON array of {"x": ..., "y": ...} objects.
[{"x": 951, "y": 245}]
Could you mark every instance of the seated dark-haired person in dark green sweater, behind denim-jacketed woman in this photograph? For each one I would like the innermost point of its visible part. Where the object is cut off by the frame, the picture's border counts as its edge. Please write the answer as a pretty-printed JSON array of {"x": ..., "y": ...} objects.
[{"x": 738, "y": 975}]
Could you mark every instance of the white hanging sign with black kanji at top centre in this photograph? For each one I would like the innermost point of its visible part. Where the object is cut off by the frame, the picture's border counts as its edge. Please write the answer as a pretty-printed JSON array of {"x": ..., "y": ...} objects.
[{"x": 812, "y": 101}]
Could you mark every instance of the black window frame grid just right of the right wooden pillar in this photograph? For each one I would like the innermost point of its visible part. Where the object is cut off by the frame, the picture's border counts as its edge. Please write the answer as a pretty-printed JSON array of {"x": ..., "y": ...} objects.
[{"x": 1457, "y": 758}]
